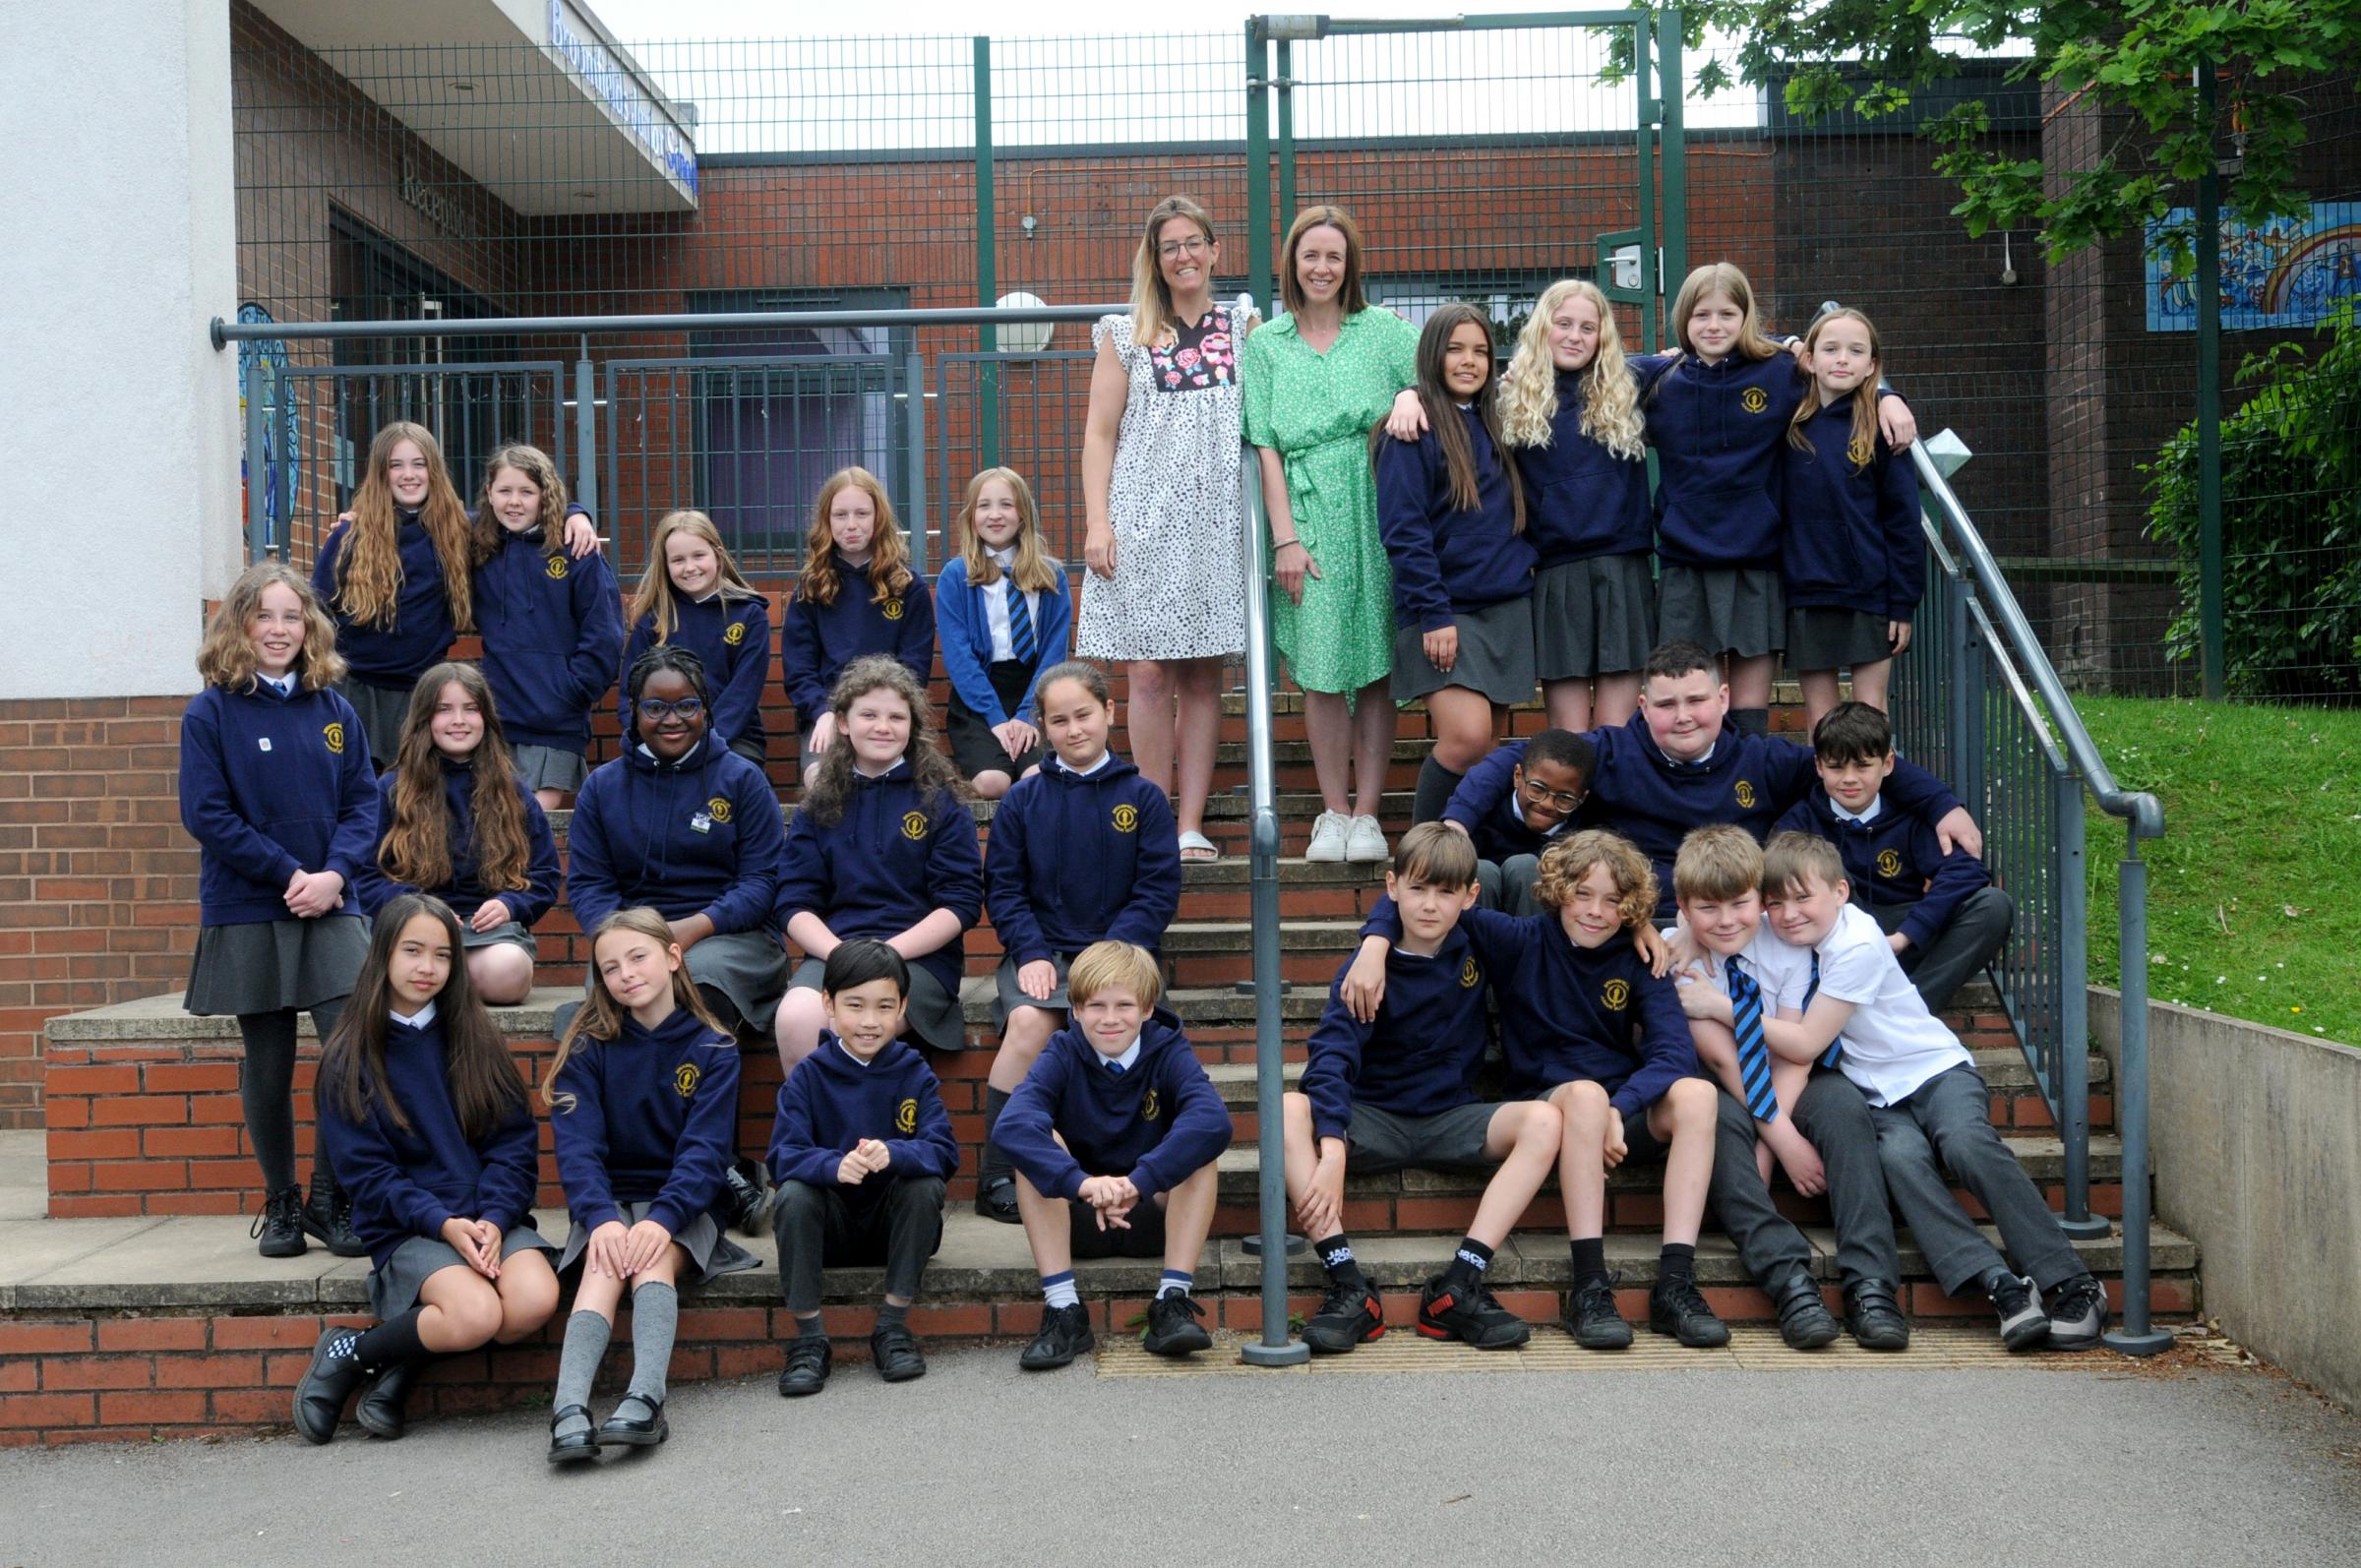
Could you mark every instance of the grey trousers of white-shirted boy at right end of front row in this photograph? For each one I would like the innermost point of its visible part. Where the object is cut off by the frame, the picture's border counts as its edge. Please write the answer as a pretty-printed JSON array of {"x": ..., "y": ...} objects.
[{"x": 1947, "y": 1125}]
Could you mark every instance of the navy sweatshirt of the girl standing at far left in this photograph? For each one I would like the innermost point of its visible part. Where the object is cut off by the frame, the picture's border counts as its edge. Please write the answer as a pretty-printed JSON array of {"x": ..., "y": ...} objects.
[{"x": 270, "y": 788}]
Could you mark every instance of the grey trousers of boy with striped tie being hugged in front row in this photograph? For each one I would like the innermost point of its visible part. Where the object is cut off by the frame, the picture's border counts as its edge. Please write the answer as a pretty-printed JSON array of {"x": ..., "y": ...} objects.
[{"x": 1838, "y": 1123}]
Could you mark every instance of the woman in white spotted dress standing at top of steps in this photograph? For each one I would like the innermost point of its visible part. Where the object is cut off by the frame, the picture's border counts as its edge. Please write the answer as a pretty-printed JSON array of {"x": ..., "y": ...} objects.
[{"x": 1163, "y": 509}]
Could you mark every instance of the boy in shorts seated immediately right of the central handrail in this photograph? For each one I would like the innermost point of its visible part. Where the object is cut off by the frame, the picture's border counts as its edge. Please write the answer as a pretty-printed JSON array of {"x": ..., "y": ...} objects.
[{"x": 1401, "y": 1090}]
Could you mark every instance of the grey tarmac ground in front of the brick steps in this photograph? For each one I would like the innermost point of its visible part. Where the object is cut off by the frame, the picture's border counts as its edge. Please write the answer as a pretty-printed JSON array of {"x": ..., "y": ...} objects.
[{"x": 2081, "y": 1463}]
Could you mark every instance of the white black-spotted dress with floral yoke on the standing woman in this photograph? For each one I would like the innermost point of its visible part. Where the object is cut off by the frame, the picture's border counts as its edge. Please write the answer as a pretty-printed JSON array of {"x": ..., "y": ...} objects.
[{"x": 1179, "y": 584}]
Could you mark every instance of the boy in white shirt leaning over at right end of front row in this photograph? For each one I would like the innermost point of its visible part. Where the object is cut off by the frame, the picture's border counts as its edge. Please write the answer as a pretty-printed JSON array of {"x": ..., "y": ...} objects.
[{"x": 1930, "y": 1106}]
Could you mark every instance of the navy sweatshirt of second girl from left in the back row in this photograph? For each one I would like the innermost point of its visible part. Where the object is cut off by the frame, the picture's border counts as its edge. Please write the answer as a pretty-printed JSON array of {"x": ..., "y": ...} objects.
[{"x": 554, "y": 636}]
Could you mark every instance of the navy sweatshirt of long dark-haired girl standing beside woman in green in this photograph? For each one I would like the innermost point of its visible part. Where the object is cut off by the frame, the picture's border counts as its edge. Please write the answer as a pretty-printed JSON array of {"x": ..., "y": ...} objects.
[{"x": 1446, "y": 561}]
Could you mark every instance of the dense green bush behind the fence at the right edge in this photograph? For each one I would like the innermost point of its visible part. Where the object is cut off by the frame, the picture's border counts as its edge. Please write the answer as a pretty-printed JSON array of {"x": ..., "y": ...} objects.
[{"x": 2291, "y": 525}]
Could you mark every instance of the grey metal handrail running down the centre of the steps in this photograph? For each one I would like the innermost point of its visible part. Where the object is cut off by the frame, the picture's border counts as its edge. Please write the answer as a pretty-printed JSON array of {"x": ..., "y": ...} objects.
[{"x": 1264, "y": 899}]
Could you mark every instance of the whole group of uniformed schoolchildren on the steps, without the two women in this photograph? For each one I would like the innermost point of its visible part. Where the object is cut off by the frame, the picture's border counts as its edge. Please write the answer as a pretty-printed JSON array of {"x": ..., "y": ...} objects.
[{"x": 1718, "y": 1047}]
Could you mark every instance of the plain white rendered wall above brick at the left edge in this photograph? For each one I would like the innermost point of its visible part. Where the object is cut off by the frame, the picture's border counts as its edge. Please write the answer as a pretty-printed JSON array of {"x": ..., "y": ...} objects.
[{"x": 119, "y": 422}]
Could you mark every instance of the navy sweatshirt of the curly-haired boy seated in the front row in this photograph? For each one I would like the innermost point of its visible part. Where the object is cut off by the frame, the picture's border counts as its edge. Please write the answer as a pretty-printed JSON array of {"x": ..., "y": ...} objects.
[{"x": 1574, "y": 1012}]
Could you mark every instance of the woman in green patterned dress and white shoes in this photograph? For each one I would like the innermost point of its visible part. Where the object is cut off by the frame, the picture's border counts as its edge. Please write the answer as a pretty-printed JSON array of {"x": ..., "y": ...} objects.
[{"x": 1316, "y": 381}]
